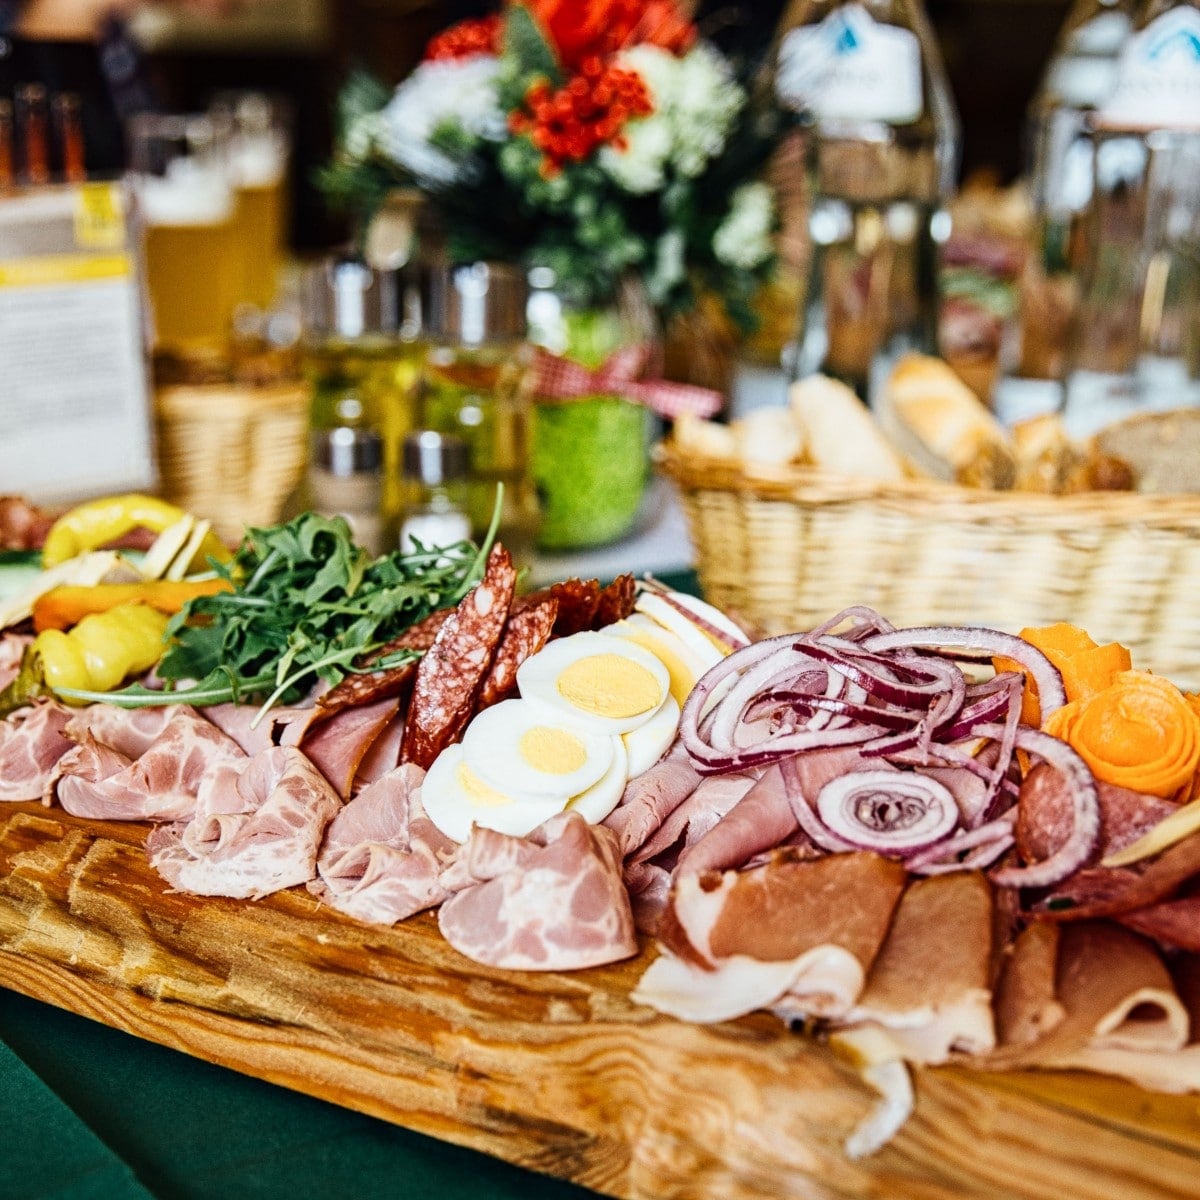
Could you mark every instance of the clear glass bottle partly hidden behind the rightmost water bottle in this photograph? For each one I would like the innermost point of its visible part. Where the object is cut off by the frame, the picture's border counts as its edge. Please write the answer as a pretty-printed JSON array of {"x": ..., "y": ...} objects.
[{"x": 1079, "y": 79}]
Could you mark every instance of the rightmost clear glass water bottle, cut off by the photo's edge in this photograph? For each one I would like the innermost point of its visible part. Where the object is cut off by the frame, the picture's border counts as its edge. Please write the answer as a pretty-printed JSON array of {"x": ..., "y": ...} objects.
[{"x": 1131, "y": 345}]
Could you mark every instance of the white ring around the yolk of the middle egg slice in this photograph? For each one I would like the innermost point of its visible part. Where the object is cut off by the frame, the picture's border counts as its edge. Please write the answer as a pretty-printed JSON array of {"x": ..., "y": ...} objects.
[{"x": 493, "y": 749}]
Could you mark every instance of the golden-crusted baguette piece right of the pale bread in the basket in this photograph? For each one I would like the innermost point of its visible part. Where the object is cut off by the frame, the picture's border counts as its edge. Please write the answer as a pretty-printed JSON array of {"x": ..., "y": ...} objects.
[{"x": 943, "y": 429}]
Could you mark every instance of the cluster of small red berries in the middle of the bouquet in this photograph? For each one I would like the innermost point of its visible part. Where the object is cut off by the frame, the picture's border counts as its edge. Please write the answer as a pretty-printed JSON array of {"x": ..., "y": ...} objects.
[{"x": 569, "y": 124}]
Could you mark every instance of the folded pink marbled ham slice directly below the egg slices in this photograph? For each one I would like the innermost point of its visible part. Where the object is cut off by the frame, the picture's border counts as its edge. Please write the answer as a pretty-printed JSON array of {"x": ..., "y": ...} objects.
[{"x": 563, "y": 908}]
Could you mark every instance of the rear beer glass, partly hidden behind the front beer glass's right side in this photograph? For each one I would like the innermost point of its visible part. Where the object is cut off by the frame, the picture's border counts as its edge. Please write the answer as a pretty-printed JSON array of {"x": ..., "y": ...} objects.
[{"x": 261, "y": 147}]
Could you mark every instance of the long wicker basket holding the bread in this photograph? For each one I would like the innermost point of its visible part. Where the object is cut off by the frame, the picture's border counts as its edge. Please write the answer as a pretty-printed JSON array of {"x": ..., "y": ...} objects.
[{"x": 790, "y": 548}]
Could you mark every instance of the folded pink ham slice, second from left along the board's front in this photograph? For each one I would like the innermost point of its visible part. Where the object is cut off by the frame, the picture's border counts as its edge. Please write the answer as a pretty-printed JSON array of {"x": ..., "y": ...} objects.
[{"x": 163, "y": 783}]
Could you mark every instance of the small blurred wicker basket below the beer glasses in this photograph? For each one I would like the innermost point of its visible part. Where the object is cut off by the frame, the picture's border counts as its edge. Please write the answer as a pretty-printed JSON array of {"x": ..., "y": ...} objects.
[{"x": 232, "y": 453}]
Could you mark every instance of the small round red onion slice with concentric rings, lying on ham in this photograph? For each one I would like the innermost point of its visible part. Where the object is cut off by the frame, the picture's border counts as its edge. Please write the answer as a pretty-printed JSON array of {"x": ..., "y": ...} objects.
[{"x": 892, "y": 813}]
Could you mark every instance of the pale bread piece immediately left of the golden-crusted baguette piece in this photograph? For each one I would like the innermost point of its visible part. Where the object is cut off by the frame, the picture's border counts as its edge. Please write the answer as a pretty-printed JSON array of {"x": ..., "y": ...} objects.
[{"x": 841, "y": 435}]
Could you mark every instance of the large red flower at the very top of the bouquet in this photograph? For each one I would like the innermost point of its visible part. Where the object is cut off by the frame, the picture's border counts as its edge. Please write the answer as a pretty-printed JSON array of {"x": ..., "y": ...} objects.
[{"x": 581, "y": 29}]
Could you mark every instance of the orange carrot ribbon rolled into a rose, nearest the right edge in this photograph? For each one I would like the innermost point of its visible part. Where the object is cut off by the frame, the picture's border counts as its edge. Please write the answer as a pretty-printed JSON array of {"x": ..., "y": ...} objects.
[{"x": 1139, "y": 733}]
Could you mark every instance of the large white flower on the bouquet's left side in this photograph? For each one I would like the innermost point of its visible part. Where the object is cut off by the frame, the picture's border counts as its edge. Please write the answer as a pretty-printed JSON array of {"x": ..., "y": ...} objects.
[{"x": 458, "y": 94}]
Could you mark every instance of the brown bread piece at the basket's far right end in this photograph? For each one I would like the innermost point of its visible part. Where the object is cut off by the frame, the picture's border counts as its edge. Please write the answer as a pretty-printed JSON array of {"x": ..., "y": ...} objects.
[{"x": 1161, "y": 451}]
